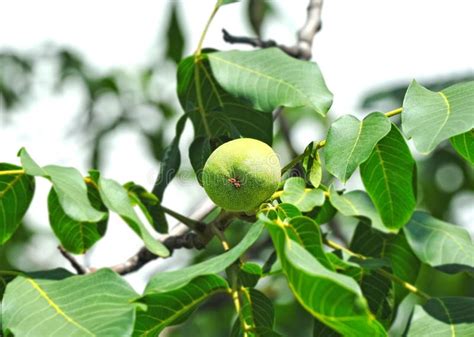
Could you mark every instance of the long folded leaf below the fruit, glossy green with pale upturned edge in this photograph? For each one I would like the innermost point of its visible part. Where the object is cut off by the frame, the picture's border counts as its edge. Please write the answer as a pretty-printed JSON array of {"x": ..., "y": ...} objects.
[{"x": 342, "y": 307}]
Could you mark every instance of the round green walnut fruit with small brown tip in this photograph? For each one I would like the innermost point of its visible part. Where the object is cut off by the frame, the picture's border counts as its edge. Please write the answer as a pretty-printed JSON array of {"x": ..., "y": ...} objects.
[{"x": 241, "y": 174}]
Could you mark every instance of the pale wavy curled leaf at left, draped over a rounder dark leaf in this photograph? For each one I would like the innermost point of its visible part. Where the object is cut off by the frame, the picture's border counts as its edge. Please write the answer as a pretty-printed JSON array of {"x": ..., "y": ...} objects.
[{"x": 69, "y": 184}]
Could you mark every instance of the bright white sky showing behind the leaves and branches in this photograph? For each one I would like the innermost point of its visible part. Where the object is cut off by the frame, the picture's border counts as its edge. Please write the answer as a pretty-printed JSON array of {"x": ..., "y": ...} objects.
[{"x": 363, "y": 44}]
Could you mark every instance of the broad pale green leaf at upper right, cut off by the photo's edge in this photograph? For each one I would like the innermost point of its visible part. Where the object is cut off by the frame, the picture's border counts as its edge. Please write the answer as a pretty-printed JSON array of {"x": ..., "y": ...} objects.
[{"x": 430, "y": 117}]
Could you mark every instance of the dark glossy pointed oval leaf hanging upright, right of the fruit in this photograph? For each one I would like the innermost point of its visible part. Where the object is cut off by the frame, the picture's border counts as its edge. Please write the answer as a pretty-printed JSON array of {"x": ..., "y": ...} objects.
[{"x": 389, "y": 177}]
